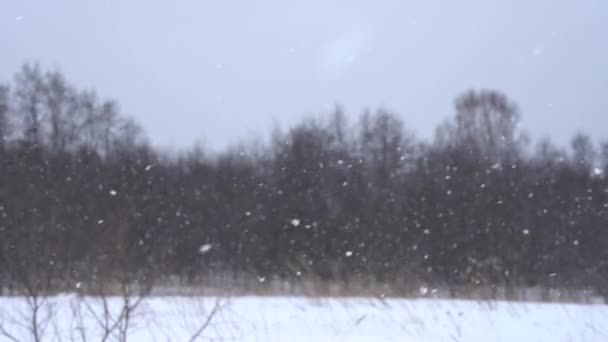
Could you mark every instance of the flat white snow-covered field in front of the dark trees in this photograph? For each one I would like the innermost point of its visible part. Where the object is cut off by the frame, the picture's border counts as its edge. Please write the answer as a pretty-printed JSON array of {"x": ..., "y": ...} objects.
[{"x": 305, "y": 319}]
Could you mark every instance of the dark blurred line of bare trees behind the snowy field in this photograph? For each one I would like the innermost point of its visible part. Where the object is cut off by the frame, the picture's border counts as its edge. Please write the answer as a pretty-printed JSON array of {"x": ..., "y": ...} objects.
[{"x": 85, "y": 201}]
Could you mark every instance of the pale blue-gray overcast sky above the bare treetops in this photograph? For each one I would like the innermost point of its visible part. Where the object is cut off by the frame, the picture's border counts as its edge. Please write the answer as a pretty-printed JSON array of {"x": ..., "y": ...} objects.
[{"x": 219, "y": 71}]
